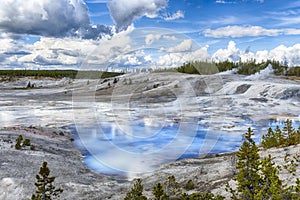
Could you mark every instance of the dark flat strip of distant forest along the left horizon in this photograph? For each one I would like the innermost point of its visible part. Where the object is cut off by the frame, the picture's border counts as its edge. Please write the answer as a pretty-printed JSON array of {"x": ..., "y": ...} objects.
[{"x": 59, "y": 73}]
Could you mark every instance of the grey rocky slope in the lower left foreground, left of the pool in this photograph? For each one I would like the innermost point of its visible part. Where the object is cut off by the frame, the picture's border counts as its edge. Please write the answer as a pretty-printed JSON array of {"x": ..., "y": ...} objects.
[{"x": 19, "y": 167}]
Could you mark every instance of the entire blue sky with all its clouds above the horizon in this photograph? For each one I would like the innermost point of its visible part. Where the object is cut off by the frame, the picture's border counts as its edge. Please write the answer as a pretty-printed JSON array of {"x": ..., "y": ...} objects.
[{"x": 118, "y": 34}]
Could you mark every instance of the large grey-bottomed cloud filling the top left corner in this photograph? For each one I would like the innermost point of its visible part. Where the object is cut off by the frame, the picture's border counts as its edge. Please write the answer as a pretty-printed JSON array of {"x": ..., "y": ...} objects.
[{"x": 43, "y": 17}]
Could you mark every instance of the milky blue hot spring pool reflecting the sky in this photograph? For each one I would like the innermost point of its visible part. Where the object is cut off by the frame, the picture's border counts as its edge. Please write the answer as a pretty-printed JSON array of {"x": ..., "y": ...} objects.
[{"x": 141, "y": 146}]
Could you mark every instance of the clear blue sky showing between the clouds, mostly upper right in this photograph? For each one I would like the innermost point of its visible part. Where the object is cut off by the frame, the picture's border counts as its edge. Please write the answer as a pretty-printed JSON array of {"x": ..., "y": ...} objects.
[{"x": 200, "y": 15}]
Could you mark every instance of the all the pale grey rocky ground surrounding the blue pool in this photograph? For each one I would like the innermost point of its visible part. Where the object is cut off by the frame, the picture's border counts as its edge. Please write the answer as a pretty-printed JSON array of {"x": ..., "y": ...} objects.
[{"x": 42, "y": 115}]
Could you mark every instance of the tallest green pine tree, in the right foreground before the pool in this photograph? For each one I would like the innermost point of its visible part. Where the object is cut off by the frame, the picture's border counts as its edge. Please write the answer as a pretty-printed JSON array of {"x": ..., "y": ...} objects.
[{"x": 248, "y": 178}]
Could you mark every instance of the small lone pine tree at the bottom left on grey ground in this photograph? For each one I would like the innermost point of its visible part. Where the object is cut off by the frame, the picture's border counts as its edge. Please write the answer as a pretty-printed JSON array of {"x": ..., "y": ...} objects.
[{"x": 44, "y": 183}]
